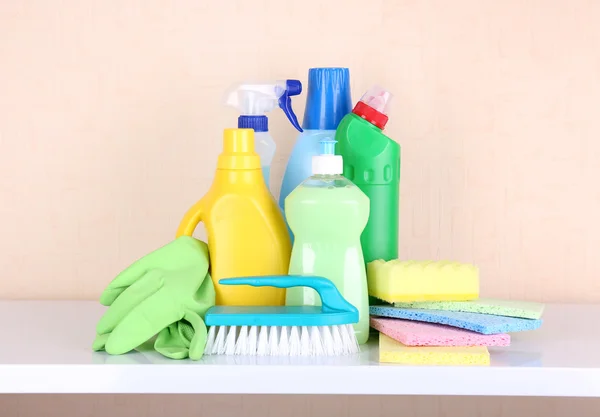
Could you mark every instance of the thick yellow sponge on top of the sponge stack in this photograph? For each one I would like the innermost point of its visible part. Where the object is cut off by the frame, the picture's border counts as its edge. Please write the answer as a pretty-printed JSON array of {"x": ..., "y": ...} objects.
[{"x": 410, "y": 281}]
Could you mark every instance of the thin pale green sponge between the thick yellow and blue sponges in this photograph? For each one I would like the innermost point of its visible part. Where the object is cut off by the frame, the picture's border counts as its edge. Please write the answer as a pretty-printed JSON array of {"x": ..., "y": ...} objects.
[{"x": 509, "y": 308}]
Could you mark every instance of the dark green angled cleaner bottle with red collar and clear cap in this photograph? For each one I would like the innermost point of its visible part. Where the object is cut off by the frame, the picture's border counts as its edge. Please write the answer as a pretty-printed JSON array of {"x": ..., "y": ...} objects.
[{"x": 372, "y": 162}]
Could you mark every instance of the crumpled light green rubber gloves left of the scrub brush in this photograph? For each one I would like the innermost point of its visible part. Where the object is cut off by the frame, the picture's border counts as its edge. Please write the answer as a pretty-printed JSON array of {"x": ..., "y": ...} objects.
[{"x": 168, "y": 292}]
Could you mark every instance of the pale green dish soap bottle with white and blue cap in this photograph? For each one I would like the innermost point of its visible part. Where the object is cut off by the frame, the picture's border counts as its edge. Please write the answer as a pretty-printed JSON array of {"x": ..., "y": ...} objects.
[{"x": 327, "y": 214}]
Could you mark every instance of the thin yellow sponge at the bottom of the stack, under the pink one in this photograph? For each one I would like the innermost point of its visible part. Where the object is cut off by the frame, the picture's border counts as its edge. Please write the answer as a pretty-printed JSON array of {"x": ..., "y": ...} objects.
[{"x": 391, "y": 351}]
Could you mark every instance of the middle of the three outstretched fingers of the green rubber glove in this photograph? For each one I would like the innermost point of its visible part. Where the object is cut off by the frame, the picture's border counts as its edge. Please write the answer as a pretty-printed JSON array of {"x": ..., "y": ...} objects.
[{"x": 129, "y": 299}]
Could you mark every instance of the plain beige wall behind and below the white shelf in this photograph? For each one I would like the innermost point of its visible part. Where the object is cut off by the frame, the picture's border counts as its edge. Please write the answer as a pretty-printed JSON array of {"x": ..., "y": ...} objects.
[{"x": 110, "y": 125}]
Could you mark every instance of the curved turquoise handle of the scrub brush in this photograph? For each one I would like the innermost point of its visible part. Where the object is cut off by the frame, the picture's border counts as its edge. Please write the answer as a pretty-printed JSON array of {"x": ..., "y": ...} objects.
[{"x": 331, "y": 299}]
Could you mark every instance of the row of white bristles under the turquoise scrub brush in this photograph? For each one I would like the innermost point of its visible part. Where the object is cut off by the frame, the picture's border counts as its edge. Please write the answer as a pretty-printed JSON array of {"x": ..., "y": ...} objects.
[{"x": 282, "y": 340}]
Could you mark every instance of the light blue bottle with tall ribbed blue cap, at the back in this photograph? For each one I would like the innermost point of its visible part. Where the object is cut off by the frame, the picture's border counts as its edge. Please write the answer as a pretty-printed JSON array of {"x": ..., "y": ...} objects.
[{"x": 328, "y": 101}]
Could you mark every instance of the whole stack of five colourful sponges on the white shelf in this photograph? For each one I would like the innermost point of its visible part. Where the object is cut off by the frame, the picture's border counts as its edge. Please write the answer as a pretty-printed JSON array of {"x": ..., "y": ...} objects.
[{"x": 432, "y": 313}]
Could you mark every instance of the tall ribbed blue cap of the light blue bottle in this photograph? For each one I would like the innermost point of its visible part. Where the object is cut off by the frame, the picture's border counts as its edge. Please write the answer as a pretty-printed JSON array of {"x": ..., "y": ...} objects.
[{"x": 328, "y": 98}]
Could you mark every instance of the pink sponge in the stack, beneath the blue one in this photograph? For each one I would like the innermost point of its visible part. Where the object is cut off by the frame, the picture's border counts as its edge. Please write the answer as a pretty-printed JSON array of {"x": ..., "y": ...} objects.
[{"x": 412, "y": 333}]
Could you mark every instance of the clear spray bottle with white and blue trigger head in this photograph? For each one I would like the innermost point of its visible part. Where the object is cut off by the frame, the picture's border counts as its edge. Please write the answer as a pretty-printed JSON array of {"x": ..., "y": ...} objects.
[{"x": 253, "y": 100}]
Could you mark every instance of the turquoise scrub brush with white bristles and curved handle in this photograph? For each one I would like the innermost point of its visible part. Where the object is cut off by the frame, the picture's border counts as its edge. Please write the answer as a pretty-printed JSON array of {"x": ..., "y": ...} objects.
[{"x": 324, "y": 330}]
